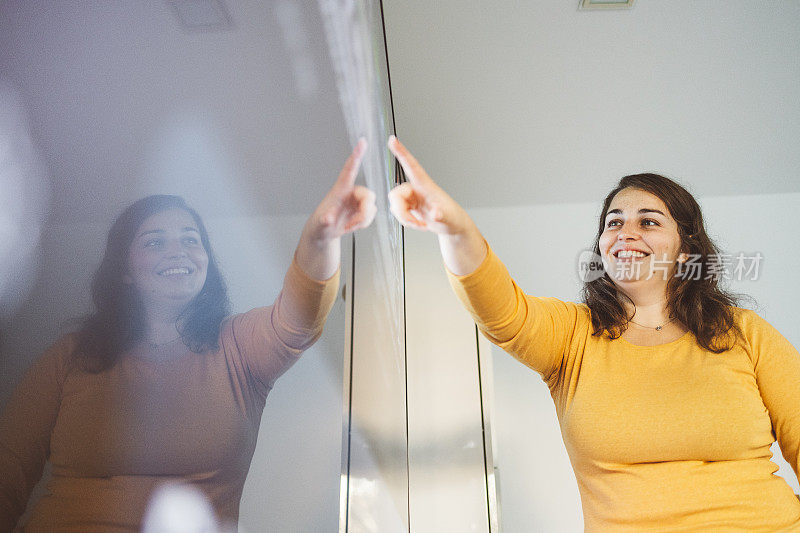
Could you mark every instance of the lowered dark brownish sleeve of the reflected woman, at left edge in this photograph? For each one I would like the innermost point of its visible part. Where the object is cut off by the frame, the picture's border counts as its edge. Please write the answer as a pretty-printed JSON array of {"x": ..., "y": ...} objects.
[{"x": 26, "y": 424}]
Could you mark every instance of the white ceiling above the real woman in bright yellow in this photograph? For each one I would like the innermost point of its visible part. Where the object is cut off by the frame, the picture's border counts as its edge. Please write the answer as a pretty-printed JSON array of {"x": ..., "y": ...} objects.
[{"x": 511, "y": 102}]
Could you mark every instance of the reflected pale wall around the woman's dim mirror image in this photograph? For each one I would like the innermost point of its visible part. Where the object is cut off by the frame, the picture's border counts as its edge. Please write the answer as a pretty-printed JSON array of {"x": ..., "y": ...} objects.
[{"x": 293, "y": 484}]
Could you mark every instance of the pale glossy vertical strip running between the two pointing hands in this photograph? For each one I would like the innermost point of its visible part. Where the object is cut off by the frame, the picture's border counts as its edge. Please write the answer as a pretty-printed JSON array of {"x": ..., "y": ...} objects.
[{"x": 374, "y": 493}]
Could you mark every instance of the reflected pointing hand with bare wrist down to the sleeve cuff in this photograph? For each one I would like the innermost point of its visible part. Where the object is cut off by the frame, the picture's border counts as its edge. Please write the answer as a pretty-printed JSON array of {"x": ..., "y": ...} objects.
[{"x": 346, "y": 208}]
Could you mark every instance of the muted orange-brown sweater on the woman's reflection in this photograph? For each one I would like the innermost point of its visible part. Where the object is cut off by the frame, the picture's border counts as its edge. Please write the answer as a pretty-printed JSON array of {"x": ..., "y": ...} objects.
[{"x": 114, "y": 437}]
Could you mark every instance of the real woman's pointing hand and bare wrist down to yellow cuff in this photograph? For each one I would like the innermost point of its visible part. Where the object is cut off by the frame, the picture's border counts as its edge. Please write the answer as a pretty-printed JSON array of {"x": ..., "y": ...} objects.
[{"x": 421, "y": 204}]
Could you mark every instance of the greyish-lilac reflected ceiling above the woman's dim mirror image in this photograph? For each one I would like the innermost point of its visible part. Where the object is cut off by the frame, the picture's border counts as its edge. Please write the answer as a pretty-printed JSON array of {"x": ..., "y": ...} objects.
[{"x": 123, "y": 102}]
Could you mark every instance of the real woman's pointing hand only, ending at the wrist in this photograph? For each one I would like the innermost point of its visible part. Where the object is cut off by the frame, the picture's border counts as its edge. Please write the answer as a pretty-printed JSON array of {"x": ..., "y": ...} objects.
[{"x": 420, "y": 203}]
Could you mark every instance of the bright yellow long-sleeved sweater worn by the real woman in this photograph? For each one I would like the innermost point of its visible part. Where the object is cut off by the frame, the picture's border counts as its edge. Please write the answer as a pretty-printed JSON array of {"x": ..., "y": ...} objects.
[{"x": 661, "y": 438}]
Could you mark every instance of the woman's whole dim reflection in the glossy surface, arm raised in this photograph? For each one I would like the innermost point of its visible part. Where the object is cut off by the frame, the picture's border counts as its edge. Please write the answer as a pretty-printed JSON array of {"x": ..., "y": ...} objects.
[{"x": 159, "y": 386}]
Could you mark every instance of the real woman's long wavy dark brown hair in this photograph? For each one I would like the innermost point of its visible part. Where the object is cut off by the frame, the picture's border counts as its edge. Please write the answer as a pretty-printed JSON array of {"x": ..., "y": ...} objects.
[{"x": 698, "y": 301}]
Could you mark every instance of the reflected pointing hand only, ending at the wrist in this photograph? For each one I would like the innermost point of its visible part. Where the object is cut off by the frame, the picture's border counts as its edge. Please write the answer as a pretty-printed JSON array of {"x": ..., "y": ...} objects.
[{"x": 347, "y": 206}]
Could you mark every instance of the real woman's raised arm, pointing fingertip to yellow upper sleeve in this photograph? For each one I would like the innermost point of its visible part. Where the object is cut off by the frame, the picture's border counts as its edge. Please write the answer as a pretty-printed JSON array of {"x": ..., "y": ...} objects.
[{"x": 534, "y": 330}]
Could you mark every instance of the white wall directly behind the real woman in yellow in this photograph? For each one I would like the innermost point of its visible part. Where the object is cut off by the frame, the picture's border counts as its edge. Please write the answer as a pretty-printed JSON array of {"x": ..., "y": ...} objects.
[{"x": 540, "y": 247}]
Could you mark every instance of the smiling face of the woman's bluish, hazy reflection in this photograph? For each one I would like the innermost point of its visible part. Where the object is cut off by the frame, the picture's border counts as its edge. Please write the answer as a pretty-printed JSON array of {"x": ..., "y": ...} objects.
[{"x": 167, "y": 263}]
